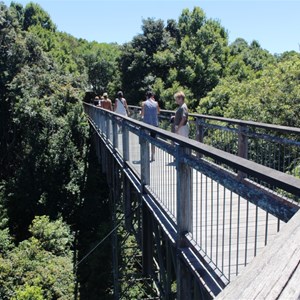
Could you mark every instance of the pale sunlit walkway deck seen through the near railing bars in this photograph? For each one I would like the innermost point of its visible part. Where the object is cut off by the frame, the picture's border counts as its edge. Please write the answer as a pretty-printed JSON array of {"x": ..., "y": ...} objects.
[{"x": 226, "y": 227}]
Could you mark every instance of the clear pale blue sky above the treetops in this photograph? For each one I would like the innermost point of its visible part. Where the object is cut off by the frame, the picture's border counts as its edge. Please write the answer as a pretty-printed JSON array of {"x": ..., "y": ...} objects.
[{"x": 274, "y": 24}]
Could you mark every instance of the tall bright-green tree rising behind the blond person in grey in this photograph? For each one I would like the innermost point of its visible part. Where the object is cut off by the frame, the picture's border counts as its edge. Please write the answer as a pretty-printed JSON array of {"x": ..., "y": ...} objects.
[{"x": 203, "y": 53}]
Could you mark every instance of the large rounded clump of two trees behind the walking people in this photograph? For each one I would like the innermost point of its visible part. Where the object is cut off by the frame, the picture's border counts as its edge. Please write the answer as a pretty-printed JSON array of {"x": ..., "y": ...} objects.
[{"x": 190, "y": 54}]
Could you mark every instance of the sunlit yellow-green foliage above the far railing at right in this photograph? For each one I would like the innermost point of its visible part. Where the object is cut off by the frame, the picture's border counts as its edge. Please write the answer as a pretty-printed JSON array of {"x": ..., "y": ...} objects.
[{"x": 271, "y": 97}]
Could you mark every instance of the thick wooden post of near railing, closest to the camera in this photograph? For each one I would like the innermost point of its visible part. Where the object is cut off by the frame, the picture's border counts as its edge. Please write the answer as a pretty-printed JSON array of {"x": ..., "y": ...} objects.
[{"x": 184, "y": 219}]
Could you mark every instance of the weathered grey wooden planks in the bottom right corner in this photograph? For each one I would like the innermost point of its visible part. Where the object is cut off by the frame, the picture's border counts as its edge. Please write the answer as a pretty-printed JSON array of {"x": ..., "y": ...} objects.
[{"x": 275, "y": 273}]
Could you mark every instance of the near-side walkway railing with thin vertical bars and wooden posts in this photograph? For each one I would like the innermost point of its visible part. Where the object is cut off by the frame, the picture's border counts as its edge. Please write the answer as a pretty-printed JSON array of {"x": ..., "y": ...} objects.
[{"x": 224, "y": 217}]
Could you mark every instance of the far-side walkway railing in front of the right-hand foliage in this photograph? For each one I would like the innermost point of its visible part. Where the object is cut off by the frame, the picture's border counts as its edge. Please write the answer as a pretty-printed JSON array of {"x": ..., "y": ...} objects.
[{"x": 277, "y": 147}]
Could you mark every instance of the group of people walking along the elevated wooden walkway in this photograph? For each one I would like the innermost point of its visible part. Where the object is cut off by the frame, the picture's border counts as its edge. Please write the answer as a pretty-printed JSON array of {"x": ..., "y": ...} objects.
[{"x": 150, "y": 111}]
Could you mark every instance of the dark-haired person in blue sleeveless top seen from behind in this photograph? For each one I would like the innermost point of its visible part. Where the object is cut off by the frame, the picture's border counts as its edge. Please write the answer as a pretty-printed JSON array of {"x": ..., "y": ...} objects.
[{"x": 150, "y": 110}]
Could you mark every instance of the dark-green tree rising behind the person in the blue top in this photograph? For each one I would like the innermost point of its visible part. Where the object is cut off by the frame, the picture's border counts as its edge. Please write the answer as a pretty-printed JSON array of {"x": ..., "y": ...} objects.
[{"x": 143, "y": 59}]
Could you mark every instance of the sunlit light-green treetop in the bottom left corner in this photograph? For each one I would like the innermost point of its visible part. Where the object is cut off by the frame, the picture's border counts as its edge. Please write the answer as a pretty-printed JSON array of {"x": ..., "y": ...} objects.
[{"x": 30, "y": 271}]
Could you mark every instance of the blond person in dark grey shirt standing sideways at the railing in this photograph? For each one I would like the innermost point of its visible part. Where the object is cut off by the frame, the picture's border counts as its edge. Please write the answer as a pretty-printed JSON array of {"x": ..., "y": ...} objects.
[{"x": 181, "y": 125}]
